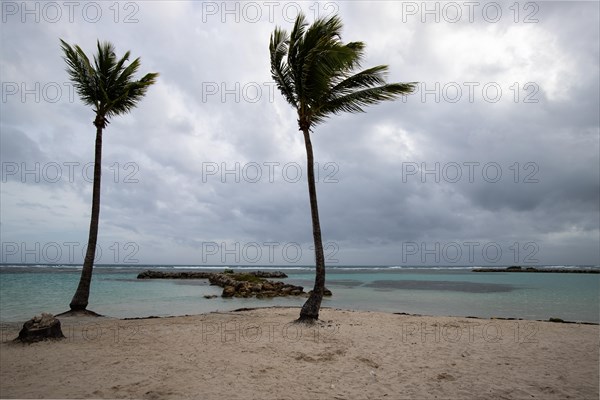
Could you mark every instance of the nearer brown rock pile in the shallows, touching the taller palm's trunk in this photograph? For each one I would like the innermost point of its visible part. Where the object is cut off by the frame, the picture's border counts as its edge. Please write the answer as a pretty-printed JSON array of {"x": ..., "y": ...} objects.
[{"x": 251, "y": 285}]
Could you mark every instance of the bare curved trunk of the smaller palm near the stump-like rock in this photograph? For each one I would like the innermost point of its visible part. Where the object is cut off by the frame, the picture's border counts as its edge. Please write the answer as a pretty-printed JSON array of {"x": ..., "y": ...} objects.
[{"x": 80, "y": 299}]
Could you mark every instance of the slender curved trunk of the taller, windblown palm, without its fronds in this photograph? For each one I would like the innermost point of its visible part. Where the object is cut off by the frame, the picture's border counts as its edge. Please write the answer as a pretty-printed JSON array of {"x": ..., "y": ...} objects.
[{"x": 310, "y": 309}]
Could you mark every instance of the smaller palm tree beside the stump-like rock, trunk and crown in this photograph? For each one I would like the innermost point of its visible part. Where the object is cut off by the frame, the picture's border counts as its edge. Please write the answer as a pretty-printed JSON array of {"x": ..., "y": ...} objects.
[{"x": 109, "y": 87}]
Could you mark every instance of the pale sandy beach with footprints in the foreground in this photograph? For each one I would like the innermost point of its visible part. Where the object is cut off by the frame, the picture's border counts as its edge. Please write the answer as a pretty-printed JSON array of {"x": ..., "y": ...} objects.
[{"x": 348, "y": 355}]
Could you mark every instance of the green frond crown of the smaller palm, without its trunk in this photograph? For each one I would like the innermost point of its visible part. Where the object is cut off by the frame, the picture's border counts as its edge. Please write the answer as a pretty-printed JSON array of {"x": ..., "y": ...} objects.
[{"x": 107, "y": 85}]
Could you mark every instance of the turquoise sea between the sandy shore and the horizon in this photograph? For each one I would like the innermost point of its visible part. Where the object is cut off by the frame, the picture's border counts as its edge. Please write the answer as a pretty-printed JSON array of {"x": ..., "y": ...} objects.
[{"x": 27, "y": 290}]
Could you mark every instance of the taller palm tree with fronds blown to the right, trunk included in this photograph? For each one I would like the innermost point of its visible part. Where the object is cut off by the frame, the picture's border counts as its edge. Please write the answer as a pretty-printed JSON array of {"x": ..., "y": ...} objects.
[{"x": 318, "y": 79}]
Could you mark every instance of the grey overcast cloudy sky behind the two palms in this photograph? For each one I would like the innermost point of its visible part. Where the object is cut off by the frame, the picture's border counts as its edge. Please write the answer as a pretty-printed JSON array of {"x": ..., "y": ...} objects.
[{"x": 495, "y": 160}]
